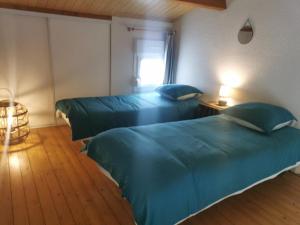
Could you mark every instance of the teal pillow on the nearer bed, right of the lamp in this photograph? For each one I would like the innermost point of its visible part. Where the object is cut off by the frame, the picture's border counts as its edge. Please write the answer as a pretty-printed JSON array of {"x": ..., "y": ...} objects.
[{"x": 260, "y": 116}]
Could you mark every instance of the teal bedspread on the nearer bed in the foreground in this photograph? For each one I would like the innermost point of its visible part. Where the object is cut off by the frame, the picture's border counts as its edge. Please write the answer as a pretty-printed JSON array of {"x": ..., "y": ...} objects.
[{"x": 170, "y": 171}]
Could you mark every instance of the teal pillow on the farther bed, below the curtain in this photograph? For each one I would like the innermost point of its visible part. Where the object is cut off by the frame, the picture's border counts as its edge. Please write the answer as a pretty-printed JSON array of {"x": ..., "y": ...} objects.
[{"x": 178, "y": 91}]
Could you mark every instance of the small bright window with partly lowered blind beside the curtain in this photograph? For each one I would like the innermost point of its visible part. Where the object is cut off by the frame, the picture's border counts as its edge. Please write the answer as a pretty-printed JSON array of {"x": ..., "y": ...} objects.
[{"x": 149, "y": 63}]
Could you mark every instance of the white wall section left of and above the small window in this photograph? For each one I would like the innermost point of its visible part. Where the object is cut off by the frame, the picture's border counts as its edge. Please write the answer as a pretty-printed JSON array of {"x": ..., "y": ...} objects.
[{"x": 122, "y": 49}]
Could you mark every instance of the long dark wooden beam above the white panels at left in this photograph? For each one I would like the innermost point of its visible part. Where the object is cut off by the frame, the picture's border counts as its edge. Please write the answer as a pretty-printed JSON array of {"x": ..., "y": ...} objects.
[{"x": 54, "y": 11}]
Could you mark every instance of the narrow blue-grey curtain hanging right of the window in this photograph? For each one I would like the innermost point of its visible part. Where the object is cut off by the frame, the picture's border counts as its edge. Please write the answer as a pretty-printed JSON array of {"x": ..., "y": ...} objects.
[{"x": 169, "y": 59}]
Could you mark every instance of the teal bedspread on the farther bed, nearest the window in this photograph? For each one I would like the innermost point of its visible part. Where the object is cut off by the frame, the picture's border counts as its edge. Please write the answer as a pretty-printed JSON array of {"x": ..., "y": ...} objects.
[{"x": 90, "y": 116}]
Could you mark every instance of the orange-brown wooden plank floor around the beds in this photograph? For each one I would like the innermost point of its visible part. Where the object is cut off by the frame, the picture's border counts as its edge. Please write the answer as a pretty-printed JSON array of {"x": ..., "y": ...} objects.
[{"x": 48, "y": 181}]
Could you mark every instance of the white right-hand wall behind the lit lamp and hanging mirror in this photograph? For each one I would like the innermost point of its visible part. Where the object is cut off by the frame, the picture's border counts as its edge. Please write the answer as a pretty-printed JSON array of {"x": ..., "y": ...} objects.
[{"x": 267, "y": 69}]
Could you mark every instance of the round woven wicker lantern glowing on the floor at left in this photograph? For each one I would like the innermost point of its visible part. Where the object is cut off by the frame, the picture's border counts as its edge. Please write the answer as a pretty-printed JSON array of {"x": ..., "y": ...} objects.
[{"x": 14, "y": 123}]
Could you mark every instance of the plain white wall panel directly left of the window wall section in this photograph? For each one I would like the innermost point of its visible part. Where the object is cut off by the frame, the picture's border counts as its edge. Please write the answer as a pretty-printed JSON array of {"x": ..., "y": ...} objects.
[{"x": 80, "y": 57}]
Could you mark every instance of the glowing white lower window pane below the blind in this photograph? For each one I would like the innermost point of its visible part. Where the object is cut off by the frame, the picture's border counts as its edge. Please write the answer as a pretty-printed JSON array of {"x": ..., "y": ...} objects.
[{"x": 151, "y": 71}]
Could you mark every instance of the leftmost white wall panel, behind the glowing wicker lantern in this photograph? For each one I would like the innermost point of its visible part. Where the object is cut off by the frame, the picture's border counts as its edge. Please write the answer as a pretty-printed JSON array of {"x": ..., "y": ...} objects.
[{"x": 25, "y": 65}]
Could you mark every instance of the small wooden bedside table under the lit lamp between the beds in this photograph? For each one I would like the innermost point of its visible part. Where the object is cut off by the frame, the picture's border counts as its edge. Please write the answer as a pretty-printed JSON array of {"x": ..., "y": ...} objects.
[{"x": 209, "y": 109}]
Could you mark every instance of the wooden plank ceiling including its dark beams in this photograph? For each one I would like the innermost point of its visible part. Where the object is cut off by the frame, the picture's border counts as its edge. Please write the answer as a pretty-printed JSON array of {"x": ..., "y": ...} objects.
[{"x": 104, "y": 9}]
